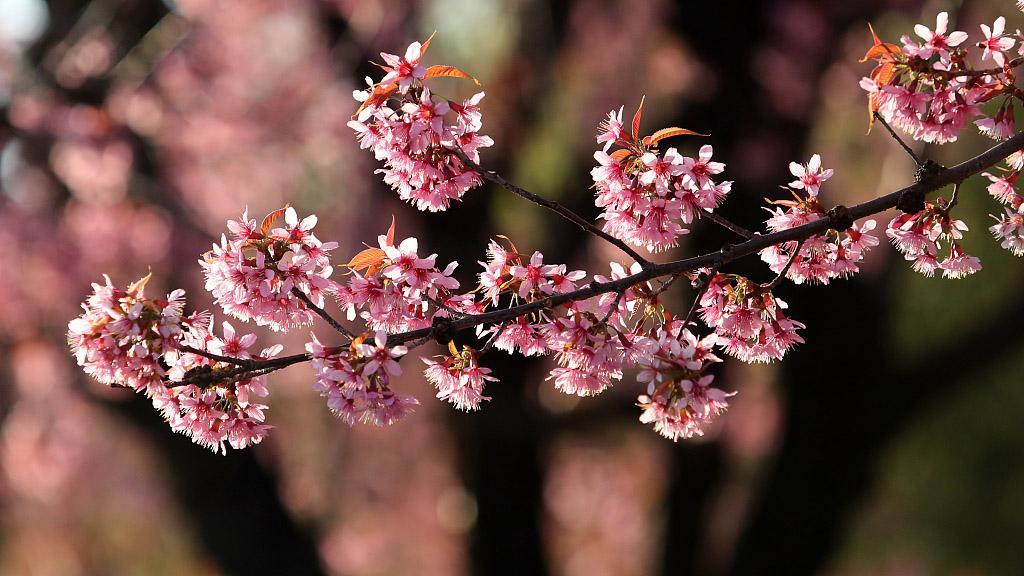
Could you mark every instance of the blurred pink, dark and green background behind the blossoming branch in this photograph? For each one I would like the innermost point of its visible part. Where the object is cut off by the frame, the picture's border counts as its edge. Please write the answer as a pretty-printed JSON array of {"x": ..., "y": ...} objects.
[{"x": 891, "y": 443}]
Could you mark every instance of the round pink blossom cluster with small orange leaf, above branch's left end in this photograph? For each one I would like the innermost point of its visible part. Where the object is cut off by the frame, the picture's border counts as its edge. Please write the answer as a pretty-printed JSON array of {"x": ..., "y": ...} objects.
[{"x": 254, "y": 274}]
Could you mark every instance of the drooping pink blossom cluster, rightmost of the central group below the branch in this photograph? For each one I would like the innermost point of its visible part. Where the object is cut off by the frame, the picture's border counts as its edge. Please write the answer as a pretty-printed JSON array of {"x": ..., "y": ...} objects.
[{"x": 748, "y": 319}]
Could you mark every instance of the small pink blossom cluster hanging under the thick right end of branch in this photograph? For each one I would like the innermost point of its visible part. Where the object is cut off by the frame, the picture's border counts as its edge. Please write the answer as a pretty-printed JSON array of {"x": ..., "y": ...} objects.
[{"x": 920, "y": 237}]
